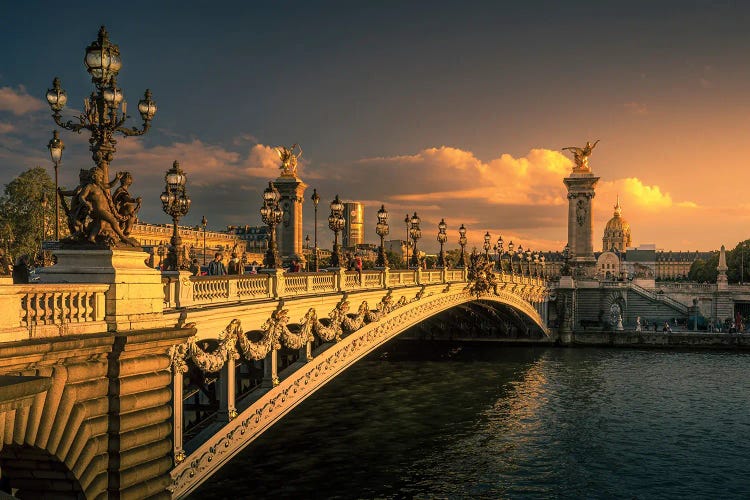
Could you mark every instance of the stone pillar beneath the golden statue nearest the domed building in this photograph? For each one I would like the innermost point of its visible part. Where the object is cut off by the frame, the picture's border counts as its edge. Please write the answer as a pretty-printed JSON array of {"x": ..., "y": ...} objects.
[{"x": 581, "y": 184}]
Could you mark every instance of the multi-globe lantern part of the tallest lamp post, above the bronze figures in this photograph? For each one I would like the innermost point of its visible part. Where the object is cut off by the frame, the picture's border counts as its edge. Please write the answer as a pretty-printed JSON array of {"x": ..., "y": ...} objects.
[{"x": 102, "y": 117}]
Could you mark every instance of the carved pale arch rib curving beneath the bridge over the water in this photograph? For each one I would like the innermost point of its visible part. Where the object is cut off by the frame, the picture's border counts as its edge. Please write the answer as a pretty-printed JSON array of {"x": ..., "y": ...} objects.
[{"x": 253, "y": 419}]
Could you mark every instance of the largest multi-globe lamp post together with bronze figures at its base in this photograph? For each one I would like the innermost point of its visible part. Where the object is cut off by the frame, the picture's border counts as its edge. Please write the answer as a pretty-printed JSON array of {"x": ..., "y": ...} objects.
[{"x": 93, "y": 215}]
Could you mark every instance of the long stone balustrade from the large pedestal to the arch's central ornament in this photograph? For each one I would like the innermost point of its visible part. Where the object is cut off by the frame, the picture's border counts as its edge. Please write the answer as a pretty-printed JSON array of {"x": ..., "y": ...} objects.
[{"x": 182, "y": 290}]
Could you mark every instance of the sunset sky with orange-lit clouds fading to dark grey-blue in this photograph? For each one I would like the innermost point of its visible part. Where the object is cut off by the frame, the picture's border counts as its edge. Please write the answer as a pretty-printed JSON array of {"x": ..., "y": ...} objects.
[{"x": 455, "y": 110}]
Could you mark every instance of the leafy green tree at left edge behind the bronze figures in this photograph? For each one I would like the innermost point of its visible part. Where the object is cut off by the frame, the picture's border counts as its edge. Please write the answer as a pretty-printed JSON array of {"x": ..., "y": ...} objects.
[{"x": 22, "y": 218}]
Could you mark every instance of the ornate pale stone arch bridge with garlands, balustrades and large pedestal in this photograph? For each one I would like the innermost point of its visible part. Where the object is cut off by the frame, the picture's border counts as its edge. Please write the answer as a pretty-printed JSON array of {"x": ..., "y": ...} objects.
[{"x": 119, "y": 381}]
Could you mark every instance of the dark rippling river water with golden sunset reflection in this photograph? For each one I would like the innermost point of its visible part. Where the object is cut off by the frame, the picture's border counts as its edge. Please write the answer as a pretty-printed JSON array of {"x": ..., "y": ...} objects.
[{"x": 433, "y": 420}]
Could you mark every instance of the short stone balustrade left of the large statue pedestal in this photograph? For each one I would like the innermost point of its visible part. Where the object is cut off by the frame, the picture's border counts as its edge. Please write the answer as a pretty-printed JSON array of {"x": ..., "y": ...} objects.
[{"x": 41, "y": 310}]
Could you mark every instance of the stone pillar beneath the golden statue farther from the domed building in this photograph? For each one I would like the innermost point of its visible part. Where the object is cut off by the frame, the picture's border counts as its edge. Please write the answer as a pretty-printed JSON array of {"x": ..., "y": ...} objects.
[{"x": 289, "y": 232}]
